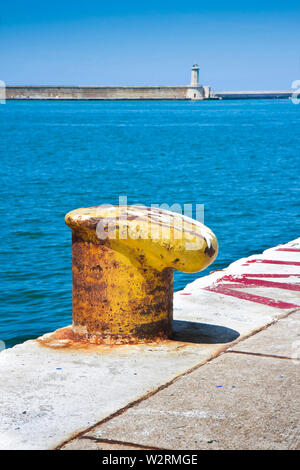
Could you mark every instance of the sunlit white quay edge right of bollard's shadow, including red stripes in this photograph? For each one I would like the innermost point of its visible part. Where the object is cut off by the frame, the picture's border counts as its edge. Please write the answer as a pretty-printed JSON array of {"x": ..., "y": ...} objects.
[{"x": 248, "y": 294}]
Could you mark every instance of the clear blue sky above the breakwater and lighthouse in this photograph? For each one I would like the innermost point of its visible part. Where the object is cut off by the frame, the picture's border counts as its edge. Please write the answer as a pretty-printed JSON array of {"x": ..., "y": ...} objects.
[{"x": 238, "y": 45}]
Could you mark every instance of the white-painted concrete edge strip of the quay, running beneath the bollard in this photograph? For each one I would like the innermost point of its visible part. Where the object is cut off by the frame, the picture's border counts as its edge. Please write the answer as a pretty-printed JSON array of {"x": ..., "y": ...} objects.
[{"x": 50, "y": 396}]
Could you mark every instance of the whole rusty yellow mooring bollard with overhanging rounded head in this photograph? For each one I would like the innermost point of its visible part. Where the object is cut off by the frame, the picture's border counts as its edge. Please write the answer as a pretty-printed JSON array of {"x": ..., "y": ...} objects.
[{"x": 123, "y": 263}]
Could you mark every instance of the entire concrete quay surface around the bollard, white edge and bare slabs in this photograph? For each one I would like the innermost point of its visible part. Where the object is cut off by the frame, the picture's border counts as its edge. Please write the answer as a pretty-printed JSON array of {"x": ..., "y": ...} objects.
[{"x": 229, "y": 378}]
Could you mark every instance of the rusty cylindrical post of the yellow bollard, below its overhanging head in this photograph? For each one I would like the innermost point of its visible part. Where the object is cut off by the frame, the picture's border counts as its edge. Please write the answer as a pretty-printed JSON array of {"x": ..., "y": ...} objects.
[{"x": 113, "y": 298}]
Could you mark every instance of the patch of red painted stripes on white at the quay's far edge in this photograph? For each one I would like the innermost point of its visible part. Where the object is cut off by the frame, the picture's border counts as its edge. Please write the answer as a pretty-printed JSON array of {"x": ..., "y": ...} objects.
[{"x": 275, "y": 273}]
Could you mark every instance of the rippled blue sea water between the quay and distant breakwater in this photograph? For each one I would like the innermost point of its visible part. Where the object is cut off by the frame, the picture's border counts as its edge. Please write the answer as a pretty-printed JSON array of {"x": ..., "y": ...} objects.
[{"x": 238, "y": 158}]
